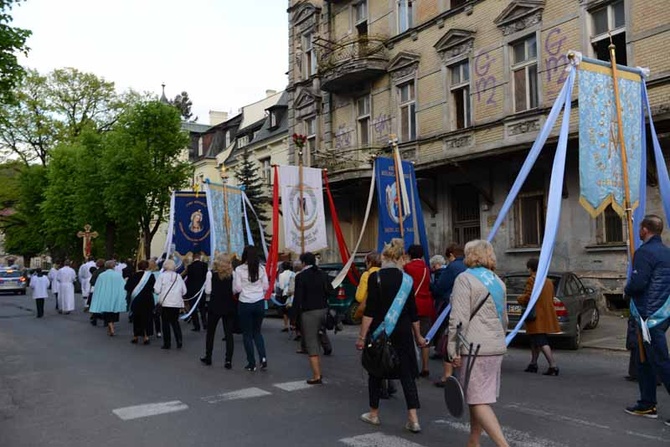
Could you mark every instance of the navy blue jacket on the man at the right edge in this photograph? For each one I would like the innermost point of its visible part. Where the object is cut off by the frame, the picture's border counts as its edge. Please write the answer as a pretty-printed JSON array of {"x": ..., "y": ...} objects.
[{"x": 649, "y": 284}]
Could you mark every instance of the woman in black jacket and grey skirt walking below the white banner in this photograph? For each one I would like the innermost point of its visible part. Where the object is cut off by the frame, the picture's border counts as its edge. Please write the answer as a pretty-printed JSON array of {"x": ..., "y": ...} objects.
[{"x": 311, "y": 300}]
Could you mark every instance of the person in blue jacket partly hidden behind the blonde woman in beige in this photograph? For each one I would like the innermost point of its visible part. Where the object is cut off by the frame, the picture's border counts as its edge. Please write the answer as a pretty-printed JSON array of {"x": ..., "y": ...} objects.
[{"x": 443, "y": 290}]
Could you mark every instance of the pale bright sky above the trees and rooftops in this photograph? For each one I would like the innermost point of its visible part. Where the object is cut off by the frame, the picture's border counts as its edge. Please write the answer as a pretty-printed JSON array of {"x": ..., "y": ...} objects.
[{"x": 224, "y": 53}]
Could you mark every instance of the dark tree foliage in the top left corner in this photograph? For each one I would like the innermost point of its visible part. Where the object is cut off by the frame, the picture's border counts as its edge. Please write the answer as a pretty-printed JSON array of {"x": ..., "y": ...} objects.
[{"x": 12, "y": 41}]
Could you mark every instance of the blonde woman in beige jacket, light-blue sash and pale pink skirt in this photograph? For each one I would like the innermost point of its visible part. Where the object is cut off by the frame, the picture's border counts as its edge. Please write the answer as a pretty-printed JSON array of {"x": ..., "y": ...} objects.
[{"x": 479, "y": 312}]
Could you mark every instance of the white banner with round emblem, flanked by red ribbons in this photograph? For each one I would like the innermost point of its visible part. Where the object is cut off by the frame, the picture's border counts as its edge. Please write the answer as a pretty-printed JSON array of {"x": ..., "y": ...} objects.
[{"x": 303, "y": 210}]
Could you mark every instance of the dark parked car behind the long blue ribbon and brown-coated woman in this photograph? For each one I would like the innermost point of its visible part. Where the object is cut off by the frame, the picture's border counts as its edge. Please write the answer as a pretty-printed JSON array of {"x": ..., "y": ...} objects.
[{"x": 575, "y": 304}]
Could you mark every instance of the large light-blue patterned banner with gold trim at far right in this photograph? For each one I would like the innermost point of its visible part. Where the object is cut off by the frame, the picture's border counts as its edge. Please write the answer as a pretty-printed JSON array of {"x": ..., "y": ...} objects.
[{"x": 600, "y": 168}]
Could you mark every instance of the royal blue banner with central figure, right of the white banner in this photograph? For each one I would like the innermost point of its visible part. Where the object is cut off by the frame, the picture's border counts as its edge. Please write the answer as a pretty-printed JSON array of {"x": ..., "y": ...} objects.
[{"x": 389, "y": 214}]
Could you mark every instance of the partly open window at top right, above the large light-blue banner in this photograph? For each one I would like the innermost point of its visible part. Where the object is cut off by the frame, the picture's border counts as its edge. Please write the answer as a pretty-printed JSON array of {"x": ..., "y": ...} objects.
[{"x": 610, "y": 19}]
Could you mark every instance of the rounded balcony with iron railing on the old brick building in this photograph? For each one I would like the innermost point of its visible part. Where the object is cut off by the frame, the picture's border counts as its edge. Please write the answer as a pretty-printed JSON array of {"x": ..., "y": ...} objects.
[{"x": 346, "y": 64}]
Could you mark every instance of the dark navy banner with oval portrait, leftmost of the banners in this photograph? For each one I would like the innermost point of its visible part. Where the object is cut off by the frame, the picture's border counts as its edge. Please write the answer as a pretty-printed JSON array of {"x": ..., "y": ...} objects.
[{"x": 191, "y": 231}]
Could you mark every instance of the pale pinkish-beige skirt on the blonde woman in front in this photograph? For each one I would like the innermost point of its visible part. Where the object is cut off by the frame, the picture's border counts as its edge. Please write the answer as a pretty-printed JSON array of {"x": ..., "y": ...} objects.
[{"x": 484, "y": 387}]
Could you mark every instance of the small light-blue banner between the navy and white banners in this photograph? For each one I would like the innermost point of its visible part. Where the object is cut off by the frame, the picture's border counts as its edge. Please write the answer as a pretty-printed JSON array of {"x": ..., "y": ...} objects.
[{"x": 226, "y": 218}]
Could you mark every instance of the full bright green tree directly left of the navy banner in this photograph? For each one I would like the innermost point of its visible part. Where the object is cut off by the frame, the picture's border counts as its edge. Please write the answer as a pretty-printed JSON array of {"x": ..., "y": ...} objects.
[{"x": 142, "y": 156}]
